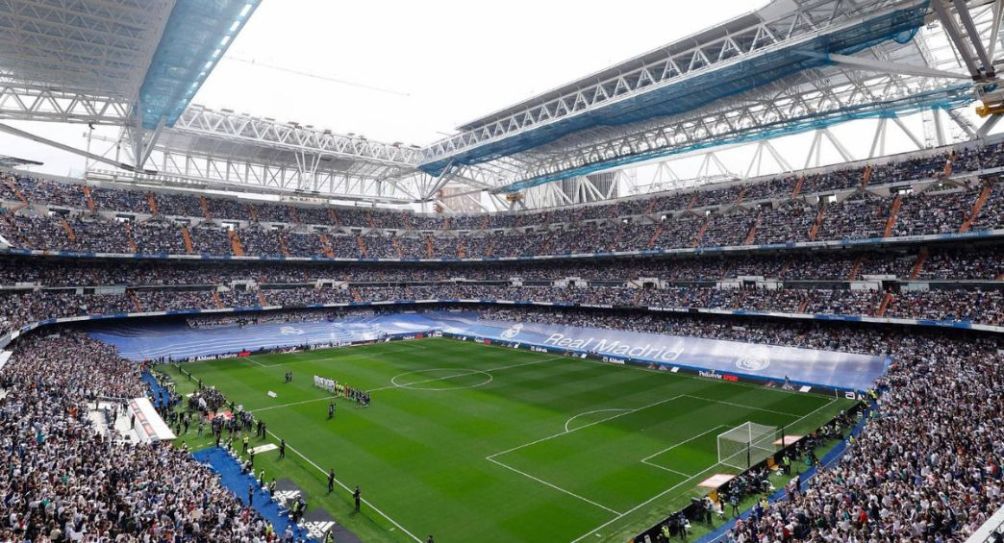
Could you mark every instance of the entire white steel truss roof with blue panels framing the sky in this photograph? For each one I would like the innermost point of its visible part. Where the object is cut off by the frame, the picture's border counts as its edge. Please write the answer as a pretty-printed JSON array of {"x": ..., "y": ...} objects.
[{"x": 792, "y": 67}]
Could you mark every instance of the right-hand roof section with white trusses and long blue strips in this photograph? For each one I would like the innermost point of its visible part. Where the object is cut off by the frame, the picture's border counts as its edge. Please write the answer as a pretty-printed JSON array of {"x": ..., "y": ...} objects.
[{"x": 717, "y": 66}]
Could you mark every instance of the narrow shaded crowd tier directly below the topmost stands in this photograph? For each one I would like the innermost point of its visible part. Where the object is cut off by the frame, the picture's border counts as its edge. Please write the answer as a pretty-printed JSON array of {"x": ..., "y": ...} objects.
[{"x": 984, "y": 262}]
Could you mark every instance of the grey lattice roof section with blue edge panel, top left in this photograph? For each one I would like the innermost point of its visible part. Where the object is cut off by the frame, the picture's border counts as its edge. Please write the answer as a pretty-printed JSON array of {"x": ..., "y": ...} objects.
[{"x": 96, "y": 61}]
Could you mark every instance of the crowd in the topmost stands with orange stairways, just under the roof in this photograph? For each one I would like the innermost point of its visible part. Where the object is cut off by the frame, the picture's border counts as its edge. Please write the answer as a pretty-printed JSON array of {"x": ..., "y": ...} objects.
[{"x": 767, "y": 212}]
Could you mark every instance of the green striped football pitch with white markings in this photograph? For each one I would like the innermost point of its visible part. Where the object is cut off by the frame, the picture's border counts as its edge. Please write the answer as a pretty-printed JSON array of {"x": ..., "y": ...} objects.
[{"x": 477, "y": 443}]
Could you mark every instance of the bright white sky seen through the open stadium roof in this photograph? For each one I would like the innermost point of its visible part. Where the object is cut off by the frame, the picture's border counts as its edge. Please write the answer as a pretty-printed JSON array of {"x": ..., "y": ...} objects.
[{"x": 399, "y": 71}]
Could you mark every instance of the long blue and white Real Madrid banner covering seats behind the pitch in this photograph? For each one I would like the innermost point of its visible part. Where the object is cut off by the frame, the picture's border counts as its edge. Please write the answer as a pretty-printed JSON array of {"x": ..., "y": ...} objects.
[{"x": 710, "y": 358}]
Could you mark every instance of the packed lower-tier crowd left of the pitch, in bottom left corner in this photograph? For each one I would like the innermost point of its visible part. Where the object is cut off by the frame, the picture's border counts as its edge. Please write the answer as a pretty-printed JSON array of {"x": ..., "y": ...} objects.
[{"x": 64, "y": 481}]
